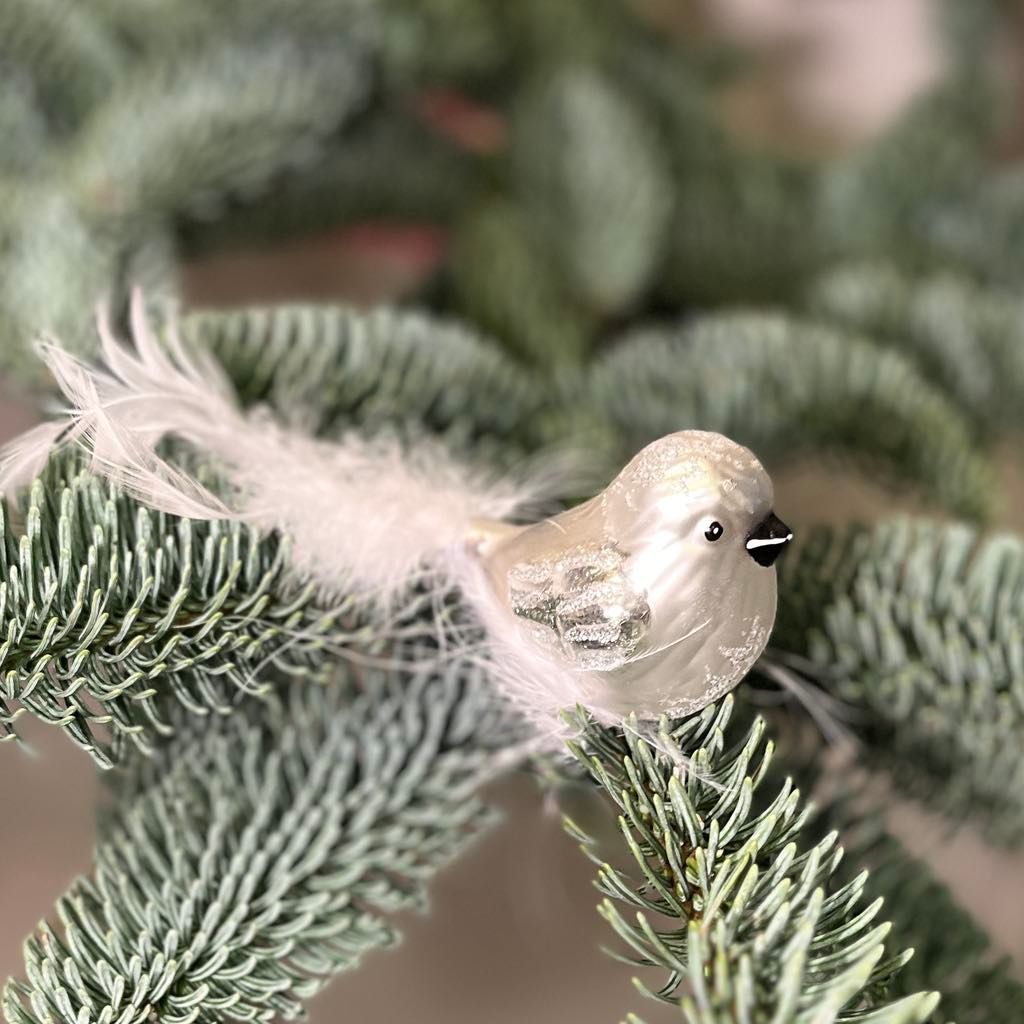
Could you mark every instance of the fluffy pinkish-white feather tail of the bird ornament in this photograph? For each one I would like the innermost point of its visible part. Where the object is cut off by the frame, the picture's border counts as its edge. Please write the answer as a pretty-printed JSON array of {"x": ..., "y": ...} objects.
[{"x": 364, "y": 516}]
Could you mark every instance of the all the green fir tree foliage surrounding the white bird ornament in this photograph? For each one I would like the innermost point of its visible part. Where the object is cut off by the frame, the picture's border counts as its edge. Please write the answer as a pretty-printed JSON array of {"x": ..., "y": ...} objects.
[{"x": 618, "y": 264}]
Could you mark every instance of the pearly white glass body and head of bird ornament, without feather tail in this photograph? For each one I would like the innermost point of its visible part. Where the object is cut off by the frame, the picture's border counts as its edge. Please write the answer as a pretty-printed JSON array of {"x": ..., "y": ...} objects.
[{"x": 650, "y": 595}]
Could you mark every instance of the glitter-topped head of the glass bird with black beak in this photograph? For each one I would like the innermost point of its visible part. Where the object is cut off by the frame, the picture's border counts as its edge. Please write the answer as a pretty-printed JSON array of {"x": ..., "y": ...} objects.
[{"x": 699, "y": 496}]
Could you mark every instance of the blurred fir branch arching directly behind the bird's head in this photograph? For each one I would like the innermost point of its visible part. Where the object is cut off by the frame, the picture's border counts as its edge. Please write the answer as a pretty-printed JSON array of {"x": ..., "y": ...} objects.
[{"x": 786, "y": 388}]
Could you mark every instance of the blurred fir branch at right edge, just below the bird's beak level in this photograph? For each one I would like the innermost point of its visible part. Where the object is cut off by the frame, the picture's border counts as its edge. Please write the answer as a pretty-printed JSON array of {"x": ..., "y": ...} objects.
[{"x": 917, "y": 627}]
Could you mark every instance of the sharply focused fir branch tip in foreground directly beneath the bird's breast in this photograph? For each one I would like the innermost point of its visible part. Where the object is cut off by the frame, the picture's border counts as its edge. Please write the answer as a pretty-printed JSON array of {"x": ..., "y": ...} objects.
[{"x": 742, "y": 916}]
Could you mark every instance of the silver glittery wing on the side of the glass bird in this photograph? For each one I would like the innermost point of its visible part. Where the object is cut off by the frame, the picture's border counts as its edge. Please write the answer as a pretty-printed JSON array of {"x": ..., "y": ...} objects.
[{"x": 583, "y": 604}]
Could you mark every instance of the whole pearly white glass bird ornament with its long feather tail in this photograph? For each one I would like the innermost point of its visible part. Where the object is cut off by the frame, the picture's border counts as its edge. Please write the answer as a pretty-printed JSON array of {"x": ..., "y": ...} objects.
[{"x": 655, "y": 598}]
